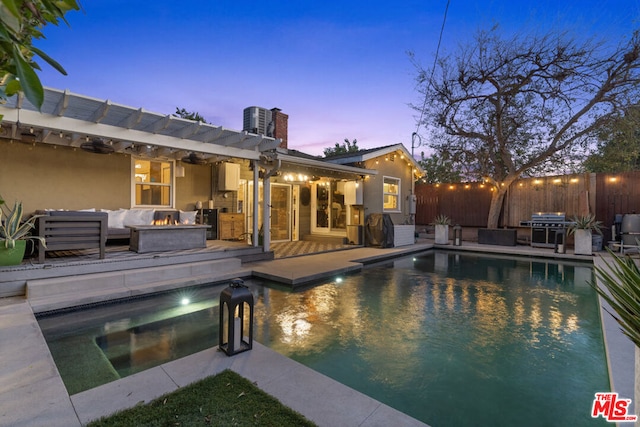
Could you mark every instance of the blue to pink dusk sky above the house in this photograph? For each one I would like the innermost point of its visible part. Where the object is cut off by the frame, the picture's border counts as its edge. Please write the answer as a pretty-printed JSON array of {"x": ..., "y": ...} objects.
[{"x": 338, "y": 69}]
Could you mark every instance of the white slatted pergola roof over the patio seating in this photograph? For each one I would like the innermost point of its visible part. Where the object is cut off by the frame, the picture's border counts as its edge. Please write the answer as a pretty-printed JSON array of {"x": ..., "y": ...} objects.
[{"x": 71, "y": 119}]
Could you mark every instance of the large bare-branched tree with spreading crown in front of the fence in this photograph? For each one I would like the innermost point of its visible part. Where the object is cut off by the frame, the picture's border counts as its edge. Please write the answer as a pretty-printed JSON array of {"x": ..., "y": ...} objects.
[{"x": 511, "y": 105}]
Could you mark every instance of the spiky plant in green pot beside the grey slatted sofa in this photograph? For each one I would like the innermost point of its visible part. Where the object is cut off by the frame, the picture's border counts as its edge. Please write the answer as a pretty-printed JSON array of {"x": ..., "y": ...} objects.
[{"x": 14, "y": 233}]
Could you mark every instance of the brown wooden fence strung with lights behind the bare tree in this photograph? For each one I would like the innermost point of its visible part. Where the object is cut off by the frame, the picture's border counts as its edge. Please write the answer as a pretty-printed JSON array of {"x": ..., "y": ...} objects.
[{"x": 467, "y": 204}]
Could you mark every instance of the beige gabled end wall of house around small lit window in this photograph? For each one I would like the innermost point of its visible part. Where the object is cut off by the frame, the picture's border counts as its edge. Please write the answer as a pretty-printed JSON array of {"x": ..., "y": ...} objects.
[{"x": 373, "y": 186}]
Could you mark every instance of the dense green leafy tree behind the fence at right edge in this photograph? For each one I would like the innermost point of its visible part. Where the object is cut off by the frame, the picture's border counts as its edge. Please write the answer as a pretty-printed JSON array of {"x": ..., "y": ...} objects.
[{"x": 619, "y": 145}]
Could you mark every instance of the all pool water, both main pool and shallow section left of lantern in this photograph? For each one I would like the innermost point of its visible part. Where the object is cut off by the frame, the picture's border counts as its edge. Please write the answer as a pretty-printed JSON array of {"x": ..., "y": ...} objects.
[{"x": 450, "y": 339}]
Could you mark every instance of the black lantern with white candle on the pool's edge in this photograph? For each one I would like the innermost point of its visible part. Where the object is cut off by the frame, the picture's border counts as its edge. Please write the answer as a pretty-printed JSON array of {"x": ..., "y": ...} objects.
[{"x": 236, "y": 317}]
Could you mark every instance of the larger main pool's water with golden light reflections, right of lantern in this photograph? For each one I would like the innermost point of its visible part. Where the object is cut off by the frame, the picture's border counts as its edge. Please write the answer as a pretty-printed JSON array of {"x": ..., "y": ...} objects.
[{"x": 452, "y": 339}]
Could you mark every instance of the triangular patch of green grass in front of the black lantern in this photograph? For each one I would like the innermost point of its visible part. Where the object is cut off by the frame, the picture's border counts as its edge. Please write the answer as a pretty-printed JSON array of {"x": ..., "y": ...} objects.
[{"x": 226, "y": 399}]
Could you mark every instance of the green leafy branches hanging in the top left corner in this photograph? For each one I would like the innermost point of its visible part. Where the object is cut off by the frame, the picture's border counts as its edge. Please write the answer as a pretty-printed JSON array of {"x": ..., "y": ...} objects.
[{"x": 21, "y": 21}]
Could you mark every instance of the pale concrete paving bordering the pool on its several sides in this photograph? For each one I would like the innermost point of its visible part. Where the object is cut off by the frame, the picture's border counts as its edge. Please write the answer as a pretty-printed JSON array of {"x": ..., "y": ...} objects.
[{"x": 32, "y": 392}]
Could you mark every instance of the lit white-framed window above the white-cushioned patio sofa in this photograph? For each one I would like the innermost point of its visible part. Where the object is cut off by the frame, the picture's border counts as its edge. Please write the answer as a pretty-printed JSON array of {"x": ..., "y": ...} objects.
[{"x": 153, "y": 183}]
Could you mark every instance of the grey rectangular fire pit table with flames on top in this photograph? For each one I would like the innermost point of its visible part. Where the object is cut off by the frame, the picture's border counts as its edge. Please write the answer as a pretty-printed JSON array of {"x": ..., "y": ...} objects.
[{"x": 153, "y": 238}]
